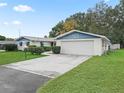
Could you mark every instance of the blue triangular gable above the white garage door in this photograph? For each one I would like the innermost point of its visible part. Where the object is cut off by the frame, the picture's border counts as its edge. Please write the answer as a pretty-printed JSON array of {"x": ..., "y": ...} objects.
[{"x": 77, "y": 35}]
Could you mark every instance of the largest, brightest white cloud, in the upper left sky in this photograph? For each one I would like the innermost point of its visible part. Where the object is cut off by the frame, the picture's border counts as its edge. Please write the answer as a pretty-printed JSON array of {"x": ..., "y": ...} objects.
[{"x": 23, "y": 8}]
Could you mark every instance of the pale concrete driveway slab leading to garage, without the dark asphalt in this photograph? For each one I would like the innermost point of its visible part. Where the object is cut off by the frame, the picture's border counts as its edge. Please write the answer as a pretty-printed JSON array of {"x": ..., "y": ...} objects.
[{"x": 50, "y": 66}]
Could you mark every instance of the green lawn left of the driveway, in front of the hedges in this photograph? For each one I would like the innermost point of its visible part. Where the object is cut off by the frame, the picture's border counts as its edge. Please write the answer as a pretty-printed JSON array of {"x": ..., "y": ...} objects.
[{"x": 12, "y": 57}]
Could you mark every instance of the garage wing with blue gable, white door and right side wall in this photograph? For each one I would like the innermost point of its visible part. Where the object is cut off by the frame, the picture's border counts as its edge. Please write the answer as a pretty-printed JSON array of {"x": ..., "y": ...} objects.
[{"x": 82, "y": 43}]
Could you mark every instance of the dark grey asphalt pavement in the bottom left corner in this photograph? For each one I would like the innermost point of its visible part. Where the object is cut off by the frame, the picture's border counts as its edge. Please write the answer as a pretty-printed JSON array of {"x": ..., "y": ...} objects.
[{"x": 15, "y": 81}]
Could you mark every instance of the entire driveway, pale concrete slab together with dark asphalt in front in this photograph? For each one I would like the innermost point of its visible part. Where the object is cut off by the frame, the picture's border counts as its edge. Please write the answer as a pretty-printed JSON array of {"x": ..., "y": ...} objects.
[{"x": 28, "y": 76}]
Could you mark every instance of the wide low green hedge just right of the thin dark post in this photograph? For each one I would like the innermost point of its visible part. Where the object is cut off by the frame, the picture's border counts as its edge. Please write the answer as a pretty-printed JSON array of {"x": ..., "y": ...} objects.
[{"x": 35, "y": 50}]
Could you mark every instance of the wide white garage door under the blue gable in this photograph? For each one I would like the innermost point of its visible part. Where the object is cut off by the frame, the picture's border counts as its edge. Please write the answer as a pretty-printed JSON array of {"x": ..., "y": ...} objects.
[{"x": 77, "y": 47}]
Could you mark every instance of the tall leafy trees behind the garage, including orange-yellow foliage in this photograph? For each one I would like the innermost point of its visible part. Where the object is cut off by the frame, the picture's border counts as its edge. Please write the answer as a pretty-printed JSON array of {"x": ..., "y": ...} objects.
[{"x": 102, "y": 19}]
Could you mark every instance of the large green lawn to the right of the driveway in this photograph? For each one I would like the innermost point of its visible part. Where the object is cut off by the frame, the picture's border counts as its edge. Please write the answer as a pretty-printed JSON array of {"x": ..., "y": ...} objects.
[{"x": 103, "y": 74}]
